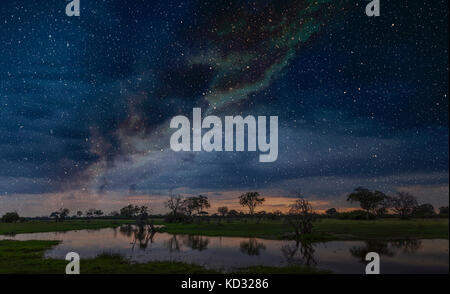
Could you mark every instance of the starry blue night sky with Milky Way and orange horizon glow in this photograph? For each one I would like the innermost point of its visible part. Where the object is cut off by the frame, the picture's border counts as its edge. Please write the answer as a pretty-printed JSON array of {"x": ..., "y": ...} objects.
[{"x": 85, "y": 102}]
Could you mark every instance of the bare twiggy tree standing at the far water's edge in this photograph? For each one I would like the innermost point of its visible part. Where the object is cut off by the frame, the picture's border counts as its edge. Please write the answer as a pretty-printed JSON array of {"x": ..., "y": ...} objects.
[{"x": 301, "y": 217}]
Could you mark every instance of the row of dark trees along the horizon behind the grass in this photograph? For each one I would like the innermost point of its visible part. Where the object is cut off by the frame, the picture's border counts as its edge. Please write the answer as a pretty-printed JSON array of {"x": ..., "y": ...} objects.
[{"x": 185, "y": 209}]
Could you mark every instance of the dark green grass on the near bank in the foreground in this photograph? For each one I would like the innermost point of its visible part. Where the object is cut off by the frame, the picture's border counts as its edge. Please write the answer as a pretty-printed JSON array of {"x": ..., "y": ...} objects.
[{"x": 26, "y": 257}]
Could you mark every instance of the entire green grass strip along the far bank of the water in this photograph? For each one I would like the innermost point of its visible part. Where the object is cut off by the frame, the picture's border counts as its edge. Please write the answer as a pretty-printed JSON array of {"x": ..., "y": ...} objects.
[{"x": 324, "y": 229}]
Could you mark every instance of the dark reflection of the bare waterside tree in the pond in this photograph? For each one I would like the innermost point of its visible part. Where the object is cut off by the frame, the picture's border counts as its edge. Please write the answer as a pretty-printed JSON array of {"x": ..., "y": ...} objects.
[{"x": 300, "y": 253}]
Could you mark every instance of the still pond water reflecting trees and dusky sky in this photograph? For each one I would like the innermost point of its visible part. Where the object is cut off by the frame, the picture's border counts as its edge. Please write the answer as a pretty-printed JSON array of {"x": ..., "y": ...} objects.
[{"x": 142, "y": 244}]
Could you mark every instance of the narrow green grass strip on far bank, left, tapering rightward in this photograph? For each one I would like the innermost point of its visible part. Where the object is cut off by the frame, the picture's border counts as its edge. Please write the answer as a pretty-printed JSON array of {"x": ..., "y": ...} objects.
[{"x": 52, "y": 226}]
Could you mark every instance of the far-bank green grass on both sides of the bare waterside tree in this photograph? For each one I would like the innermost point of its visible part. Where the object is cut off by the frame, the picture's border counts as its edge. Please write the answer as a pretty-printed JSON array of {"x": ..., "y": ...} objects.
[{"x": 324, "y": 229}]
